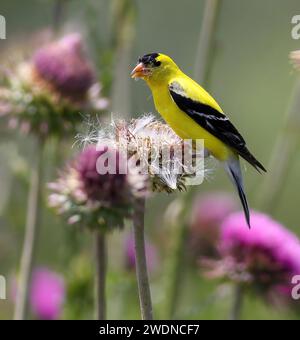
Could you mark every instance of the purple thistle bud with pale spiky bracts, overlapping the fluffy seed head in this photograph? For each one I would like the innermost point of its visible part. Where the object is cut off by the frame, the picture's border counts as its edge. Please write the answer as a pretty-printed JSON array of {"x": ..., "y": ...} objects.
[{"x": 98, "y": 188}]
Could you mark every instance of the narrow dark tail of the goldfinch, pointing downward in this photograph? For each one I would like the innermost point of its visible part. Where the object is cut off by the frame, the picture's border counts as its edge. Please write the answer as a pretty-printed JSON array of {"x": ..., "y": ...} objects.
[{"x": 235, "y": 174}]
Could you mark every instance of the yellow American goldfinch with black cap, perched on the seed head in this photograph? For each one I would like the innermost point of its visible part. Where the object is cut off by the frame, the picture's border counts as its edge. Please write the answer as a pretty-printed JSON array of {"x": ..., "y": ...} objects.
[{"x": 194, "y": 114}]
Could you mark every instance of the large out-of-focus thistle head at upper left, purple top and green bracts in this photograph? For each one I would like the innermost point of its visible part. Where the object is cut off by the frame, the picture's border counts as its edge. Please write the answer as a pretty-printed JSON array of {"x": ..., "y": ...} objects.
[{"x": 46, "y": 94}]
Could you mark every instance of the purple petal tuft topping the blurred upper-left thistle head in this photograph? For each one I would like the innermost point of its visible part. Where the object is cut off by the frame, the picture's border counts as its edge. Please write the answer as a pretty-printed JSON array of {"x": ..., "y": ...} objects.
[{"x": 64, "y": 66}]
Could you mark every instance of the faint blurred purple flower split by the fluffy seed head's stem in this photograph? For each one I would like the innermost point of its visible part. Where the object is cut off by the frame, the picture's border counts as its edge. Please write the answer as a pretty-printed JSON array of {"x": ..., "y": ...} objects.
[{"x": 151, "y": 254}]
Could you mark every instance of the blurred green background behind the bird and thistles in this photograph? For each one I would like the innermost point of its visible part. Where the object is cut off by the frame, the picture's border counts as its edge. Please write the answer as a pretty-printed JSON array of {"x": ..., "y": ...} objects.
[{"x": 251, "y": 78}]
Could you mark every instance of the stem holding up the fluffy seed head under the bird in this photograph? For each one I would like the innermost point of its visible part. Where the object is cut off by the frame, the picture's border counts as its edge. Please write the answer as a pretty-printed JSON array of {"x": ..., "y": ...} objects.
[{"x": 141, "y": 263}]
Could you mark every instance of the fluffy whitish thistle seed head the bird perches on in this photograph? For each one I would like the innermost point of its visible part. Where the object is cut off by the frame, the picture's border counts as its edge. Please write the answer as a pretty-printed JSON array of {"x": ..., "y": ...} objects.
[{"x": 155, "y": 148}]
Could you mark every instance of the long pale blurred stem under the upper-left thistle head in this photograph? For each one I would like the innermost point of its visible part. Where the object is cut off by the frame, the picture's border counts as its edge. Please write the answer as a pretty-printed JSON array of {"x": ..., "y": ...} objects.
[{"x": 31, "y": 234}]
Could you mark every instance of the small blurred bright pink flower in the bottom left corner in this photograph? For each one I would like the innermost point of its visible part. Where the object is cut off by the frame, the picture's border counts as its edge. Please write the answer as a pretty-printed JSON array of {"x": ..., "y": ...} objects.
[{"x": 47, "y": 294}]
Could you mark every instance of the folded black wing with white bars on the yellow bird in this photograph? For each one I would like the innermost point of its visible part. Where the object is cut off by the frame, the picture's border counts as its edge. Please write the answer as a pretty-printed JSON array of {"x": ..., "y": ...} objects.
[{"x": 214, "y": 122}]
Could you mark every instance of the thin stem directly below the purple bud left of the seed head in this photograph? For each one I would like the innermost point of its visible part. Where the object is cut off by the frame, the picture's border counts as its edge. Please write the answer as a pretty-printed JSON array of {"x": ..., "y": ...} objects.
[{"x": 100, "y": 275}]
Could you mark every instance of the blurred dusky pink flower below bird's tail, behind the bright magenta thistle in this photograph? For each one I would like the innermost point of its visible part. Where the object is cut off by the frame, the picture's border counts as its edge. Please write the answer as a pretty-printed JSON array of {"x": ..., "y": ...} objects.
[{"x": 208, "y": 212}]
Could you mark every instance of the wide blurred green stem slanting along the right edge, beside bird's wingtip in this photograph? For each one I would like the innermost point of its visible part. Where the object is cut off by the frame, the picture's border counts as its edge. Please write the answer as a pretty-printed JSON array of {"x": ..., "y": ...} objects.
[{"x": 282, "y": 156}]
